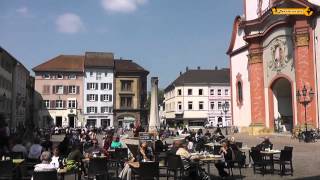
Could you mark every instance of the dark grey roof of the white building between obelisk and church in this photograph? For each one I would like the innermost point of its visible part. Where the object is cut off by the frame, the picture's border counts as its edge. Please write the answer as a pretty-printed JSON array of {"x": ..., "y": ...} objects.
[{"x": 194, "y": 77}]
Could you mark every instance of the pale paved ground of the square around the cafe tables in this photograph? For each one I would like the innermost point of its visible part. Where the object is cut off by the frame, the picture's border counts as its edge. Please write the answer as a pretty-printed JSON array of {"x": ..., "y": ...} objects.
[{"x": 306, "y": 158}]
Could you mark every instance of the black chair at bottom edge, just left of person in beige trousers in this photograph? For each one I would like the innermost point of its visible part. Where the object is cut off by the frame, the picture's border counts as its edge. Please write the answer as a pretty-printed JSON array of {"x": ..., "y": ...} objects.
[{"x": 97, "y": 166}]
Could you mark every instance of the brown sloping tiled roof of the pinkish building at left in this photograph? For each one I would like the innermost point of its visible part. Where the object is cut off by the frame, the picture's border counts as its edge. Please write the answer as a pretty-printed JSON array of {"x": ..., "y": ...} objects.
[{"x": 72, "y": 63}]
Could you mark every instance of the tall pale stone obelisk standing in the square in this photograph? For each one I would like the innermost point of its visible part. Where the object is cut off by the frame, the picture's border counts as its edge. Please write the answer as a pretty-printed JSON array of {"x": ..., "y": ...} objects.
[{"x": 154, "y": 120}]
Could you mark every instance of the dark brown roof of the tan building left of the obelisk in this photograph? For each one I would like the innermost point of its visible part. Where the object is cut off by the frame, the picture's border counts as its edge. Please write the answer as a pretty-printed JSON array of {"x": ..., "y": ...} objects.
[{"x": 128, "y": 66}]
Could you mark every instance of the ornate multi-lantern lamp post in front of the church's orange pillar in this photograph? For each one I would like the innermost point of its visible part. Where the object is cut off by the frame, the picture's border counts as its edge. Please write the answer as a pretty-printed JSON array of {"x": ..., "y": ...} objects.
[{"x": 304, "y": 98}]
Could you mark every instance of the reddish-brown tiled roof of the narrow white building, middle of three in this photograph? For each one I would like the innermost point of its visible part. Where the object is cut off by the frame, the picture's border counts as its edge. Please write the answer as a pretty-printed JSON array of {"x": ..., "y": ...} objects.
[{"x": 99, "y": 59}]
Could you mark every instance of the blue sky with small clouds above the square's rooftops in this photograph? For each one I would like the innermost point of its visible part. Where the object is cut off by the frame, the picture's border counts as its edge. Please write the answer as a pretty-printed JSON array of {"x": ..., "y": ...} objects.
[{"x": 163, "y": 36}]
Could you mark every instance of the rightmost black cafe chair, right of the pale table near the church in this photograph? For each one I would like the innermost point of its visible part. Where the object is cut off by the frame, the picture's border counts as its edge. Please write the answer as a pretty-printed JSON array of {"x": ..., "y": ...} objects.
[{"x": 285, "y": 159}]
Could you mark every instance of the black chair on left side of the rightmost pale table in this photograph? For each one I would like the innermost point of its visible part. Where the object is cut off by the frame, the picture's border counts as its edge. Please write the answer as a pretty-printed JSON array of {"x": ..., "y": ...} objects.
[{"x": 259, "y": 161}]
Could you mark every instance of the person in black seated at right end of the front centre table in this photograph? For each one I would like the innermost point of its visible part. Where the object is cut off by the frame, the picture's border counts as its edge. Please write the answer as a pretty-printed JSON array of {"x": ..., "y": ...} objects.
[{"x": 227, "y": 153}]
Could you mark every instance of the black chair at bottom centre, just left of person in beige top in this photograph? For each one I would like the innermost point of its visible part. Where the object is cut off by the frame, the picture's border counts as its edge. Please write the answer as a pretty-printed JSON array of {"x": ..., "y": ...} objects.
[{"x": 175, "y": 165}]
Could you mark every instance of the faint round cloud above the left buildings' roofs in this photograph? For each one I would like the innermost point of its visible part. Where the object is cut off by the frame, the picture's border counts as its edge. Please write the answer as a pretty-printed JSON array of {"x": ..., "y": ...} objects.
[{"x": 69, "y": 23}]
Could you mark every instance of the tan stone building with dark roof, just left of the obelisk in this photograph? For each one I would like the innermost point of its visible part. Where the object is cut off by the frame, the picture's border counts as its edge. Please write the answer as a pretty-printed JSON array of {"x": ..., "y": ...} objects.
[{"x": 130, "y": 93}]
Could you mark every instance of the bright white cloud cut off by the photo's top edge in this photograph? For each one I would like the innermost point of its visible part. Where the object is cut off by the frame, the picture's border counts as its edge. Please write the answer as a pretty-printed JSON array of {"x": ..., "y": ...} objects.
[{"x": 123, "y": 6}]
